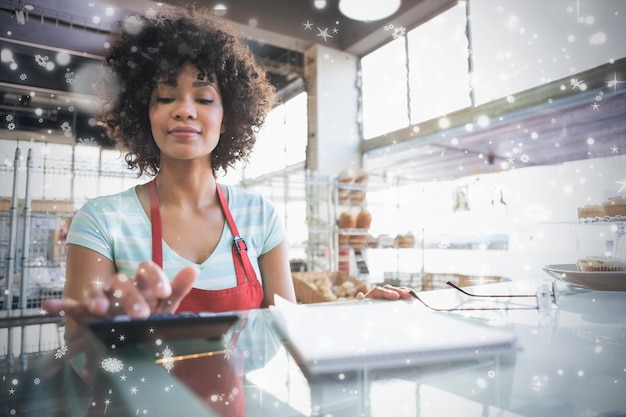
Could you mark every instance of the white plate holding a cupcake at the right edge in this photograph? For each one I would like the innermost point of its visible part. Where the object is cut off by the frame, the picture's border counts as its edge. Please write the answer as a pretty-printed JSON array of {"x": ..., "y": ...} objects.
[{"x": 601, "y": 281}]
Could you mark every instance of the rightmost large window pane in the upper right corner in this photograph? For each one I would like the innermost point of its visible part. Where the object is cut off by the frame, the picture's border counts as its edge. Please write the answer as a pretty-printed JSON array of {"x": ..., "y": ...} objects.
[{"x": 521, "y": 44}]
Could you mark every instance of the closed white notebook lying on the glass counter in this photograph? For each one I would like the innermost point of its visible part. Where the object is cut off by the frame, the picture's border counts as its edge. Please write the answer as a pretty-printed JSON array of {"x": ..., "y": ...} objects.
[{"x": 338, "y": 337}]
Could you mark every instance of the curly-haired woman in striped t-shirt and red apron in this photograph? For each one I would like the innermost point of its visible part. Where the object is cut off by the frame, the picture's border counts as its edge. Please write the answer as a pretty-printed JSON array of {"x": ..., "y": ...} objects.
[{"x": 184, "y": 98}]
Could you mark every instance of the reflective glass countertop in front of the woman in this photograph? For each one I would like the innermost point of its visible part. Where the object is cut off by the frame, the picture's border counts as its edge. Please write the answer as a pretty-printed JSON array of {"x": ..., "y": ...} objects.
[{"x": 571, "y": 361}]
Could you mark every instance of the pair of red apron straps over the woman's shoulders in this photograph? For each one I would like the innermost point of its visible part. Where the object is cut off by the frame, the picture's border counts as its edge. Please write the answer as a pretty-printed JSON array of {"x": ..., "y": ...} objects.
[{"x": 243, "y": 266}]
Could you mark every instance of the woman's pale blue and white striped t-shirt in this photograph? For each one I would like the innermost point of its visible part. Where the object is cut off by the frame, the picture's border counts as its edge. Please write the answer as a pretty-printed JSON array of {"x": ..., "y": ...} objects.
[{"x": 117, "y": 227}]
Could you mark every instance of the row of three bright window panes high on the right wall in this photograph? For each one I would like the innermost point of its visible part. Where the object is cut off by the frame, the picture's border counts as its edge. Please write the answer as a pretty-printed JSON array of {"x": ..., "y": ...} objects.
[{"x": 514, "y": 46}]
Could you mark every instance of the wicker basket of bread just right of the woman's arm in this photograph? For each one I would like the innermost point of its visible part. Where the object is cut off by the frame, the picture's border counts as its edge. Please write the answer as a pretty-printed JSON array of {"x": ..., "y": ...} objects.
[{"x": 307, "y": 293}]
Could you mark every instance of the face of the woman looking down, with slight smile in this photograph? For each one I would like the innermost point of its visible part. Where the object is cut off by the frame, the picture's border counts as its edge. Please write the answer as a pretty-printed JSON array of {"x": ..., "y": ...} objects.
[{"x": 186, "y": 115}]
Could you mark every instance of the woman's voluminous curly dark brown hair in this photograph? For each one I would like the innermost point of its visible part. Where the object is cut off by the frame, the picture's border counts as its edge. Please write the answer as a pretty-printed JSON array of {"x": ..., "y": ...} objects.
[{"x": 145, "y": 49}]
